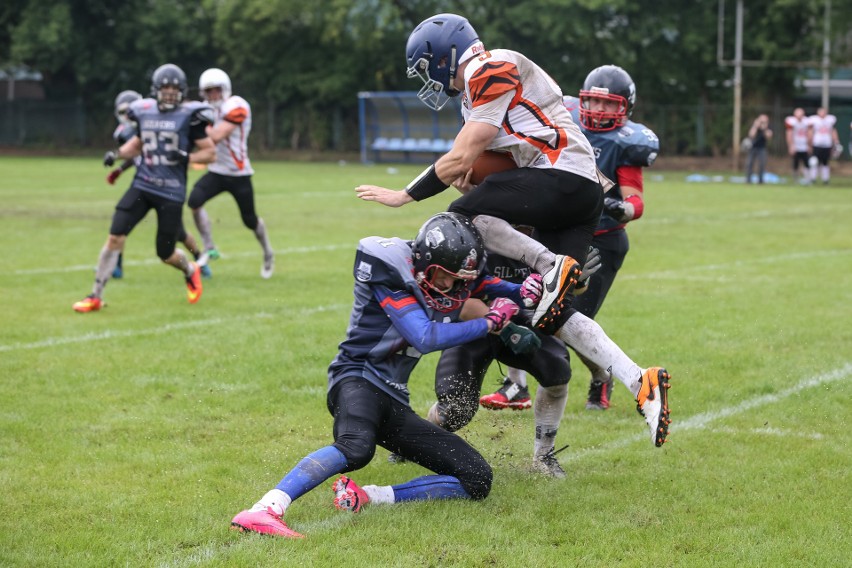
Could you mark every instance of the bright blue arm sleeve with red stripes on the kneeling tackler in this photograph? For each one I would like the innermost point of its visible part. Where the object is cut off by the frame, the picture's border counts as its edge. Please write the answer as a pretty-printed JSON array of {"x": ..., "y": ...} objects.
[{"x": 425, "y": 335}]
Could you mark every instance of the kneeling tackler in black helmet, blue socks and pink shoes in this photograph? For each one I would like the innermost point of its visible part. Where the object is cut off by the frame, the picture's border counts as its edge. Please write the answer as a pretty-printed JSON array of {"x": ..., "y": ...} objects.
[{"x": 410, "y": 298}]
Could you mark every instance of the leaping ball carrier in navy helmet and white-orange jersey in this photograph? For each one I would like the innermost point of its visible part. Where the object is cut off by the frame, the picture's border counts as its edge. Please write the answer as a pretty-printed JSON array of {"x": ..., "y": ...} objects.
[{"x": 511, "y": 104}]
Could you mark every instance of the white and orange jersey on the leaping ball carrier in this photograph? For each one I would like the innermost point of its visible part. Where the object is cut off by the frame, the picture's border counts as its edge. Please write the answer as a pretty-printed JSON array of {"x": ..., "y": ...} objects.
[{"x": 505, "y": 89}]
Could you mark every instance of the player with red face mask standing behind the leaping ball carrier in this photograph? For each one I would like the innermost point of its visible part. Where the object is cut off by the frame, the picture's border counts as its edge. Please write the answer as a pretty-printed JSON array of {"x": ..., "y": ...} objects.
[{"x": 622, "y": 148}]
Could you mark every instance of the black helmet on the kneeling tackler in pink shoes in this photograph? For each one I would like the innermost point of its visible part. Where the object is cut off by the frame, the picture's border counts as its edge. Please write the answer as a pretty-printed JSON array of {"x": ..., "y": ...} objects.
[{"x": 450, "y": 242}]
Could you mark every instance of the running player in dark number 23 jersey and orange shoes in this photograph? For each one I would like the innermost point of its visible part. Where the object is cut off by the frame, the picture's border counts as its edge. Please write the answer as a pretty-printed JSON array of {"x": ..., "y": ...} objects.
[{"x": 168, "y": 128}]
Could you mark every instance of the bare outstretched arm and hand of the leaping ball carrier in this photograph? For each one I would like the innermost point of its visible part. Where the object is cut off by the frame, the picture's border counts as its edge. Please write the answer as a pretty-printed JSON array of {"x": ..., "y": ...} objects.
[{"x": 469, "y": 144}]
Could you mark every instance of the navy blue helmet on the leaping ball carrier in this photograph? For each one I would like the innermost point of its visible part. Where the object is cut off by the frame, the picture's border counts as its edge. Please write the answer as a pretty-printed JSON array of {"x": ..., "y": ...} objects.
[{"x": 434, "y": 51}]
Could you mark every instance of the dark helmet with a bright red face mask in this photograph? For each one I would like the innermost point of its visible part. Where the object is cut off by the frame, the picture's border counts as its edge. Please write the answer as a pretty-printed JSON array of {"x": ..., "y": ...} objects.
[{"x": 612, "y": 83}]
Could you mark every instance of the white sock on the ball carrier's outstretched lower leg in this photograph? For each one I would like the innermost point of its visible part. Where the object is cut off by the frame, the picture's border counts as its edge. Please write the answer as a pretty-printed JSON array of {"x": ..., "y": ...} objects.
[{"x": 588, "y": 339}]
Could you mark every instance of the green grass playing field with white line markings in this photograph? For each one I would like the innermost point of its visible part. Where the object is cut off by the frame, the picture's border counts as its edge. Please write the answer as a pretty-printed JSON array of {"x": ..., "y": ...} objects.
[{"x": 130, "y": 437}]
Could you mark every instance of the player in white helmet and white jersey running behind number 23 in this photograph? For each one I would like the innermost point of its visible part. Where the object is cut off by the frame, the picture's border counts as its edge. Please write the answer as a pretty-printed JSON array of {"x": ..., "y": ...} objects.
[{"x": 232, "y": 169}]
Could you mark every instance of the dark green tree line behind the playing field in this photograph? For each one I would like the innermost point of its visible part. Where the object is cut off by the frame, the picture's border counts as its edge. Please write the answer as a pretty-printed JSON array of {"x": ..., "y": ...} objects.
[{"x": 302, "y": 63}]
